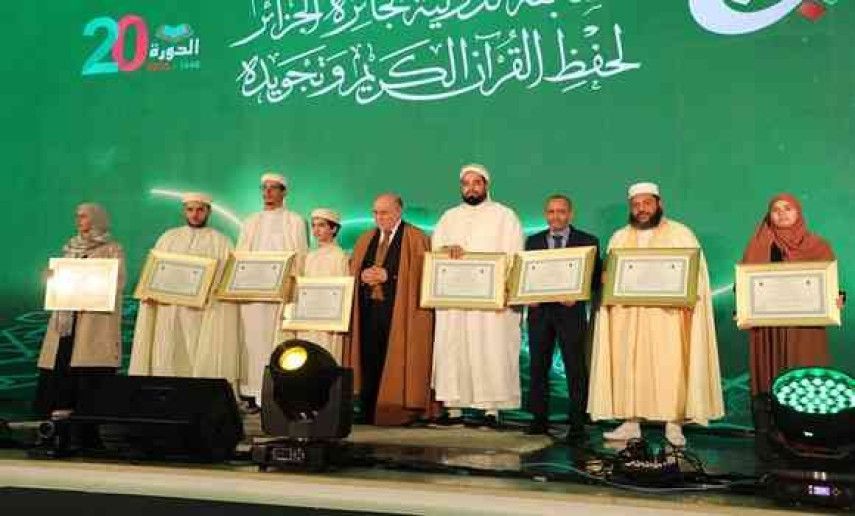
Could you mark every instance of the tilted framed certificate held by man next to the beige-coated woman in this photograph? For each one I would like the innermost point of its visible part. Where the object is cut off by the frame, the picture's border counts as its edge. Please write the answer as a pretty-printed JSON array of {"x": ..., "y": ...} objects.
[{"x": 176, "y": 279}]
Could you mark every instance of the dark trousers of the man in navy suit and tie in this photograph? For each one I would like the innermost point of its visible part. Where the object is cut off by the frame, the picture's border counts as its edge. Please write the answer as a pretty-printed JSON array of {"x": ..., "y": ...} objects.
[{"x": 548, "y": 324}]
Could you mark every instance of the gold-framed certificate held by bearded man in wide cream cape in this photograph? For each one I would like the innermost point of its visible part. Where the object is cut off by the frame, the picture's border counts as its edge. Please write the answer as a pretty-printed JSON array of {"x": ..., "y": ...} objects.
[{"x": 652, "y": 277}]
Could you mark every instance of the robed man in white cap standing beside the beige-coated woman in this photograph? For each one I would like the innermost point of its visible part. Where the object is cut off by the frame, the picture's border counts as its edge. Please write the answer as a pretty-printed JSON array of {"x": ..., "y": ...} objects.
[{"x": 173, "y": 340}]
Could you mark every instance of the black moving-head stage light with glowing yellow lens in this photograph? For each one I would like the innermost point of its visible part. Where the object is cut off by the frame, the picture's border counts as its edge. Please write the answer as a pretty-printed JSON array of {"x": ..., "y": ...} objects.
[{"x": 306, "y": 408}]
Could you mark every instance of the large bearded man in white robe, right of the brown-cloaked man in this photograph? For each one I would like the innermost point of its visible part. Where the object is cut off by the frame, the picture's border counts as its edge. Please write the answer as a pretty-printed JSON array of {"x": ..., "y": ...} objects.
[{"x": 476, "y": 352}]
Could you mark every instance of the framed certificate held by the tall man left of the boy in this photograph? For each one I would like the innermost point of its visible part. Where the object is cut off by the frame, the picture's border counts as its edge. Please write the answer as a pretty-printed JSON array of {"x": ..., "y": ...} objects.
[{"x": 256, "y": 276}]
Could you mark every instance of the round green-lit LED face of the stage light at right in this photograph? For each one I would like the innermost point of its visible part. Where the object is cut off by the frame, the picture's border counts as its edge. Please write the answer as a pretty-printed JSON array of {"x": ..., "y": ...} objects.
[{"x": 815, "y": 390}]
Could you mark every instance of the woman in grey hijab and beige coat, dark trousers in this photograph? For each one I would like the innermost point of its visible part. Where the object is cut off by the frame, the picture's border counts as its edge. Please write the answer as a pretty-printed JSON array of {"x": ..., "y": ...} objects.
[{"x": 78, "y": 345}]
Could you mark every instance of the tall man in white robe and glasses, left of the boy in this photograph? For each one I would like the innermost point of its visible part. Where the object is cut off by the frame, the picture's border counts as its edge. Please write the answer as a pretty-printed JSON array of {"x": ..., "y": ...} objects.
[{"x": 273, "y": 229}]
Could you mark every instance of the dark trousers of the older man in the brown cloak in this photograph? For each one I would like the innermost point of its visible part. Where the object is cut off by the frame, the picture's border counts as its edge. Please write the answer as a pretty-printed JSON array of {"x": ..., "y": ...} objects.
[{"x": 376, "y": 319}]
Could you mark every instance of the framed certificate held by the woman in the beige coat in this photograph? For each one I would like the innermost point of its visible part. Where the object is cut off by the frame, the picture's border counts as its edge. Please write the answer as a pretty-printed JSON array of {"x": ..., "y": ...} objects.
[{"x": 82, "y": 284}]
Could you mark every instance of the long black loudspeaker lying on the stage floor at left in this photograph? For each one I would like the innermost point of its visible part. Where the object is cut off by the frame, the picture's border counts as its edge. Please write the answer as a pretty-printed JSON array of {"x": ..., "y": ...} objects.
[{"x": 159, "y": 417}]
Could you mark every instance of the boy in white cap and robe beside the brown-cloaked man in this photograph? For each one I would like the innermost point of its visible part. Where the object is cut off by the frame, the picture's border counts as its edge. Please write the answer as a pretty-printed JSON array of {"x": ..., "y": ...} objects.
[{"x": 328, "y": 259}]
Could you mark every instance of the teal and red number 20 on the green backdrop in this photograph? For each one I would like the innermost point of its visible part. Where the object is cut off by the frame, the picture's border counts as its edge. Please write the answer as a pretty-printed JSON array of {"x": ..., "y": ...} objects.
[{"x": 113, "y": 45}]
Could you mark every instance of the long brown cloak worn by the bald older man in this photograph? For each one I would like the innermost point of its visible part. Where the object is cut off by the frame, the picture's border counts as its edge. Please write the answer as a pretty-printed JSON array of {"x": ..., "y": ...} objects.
[{"x": 405, "y": 392}]
